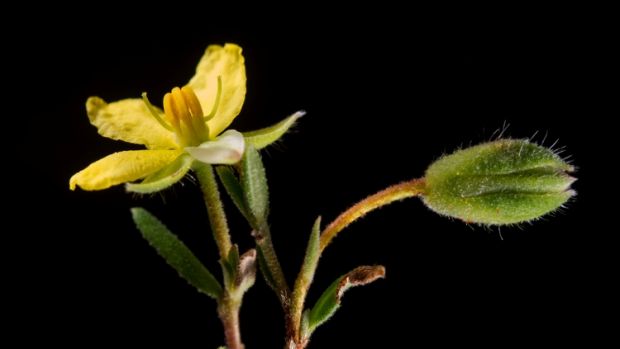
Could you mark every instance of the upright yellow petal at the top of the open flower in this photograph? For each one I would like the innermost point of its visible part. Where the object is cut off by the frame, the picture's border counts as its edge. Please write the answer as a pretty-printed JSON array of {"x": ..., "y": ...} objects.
[{"x": 227, "y": 62}]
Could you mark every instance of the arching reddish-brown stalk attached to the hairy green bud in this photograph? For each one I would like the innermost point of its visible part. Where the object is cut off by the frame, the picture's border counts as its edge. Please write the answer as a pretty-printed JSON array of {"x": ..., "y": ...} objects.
[{"x": 386, "y": 196}]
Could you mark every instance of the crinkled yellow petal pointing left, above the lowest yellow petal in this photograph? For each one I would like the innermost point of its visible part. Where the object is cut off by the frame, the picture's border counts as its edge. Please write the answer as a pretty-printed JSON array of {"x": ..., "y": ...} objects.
[{"x": 129, "y": 120}]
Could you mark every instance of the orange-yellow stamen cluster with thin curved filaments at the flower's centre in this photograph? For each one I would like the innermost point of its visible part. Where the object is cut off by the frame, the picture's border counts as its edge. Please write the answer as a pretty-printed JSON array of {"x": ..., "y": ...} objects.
[{"x": 183, "y": 115}]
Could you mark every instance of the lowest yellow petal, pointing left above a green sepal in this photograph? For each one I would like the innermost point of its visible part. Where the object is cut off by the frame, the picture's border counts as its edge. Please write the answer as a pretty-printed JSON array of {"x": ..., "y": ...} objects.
[{"x": 122, "y": 167}]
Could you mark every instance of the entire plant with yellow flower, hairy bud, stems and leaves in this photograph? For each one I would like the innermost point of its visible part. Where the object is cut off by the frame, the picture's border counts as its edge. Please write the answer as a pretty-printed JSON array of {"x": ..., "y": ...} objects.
[{"x": 506, "y": 181}]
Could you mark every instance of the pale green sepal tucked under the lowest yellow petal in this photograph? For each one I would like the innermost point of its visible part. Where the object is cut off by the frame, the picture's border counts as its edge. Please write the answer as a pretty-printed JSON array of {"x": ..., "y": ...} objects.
[{"x": 163, "y": 178}]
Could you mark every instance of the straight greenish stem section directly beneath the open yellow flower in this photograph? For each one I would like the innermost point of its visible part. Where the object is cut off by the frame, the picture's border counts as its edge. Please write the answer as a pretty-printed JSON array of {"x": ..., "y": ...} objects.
[{"x": 215, "y": 209}]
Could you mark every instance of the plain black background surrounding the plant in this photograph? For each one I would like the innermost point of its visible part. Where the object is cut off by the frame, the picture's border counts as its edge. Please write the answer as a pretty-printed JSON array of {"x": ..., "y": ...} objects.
[{"x": 386, "y": 93}]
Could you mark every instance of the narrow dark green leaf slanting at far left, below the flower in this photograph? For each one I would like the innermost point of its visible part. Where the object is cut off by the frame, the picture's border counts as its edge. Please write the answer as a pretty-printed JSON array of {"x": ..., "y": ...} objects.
[{"x": 176, "y": 253}]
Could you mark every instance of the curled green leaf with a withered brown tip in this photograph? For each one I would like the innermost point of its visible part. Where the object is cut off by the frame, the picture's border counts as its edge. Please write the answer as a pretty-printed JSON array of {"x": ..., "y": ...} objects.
[{"x": 329, "y": 301}]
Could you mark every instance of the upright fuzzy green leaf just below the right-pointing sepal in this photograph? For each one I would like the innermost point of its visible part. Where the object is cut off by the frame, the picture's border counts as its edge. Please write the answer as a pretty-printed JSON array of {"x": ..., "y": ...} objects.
[{"x": 254, "y": 184}]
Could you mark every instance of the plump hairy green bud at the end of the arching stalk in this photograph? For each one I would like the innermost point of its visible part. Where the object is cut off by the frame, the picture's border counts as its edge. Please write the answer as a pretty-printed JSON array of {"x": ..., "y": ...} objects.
[{"x": 501, "y": 182}]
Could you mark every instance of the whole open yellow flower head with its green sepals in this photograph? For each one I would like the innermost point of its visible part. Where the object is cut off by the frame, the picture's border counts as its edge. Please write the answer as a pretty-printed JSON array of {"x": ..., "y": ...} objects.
[{"x": 180, "y": 134}]
